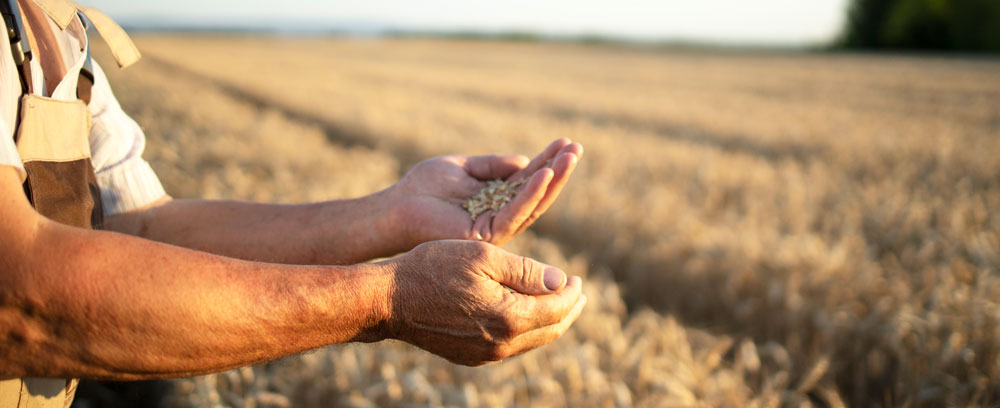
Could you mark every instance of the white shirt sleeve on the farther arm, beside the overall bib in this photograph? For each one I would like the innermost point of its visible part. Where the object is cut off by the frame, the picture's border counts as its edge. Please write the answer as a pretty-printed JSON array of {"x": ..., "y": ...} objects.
[{"x": 126, "y": 180}]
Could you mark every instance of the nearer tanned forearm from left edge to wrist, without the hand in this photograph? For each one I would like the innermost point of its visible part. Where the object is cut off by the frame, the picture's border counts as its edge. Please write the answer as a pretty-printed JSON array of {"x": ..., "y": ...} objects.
[{"x": 103, "y": 305}]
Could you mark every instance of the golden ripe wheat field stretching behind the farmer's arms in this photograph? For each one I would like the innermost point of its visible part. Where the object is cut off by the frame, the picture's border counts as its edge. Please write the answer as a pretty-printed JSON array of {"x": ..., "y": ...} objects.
[{"x": 756, "y": 229}]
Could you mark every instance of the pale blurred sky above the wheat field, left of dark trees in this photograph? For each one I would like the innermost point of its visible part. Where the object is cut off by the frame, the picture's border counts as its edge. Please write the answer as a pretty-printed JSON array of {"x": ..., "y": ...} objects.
[{"x": 737, "y": 22}]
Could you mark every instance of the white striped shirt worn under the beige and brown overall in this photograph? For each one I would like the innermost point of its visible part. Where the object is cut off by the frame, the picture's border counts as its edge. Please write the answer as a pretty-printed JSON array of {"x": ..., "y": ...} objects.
[{"x": 116, "y": 141}]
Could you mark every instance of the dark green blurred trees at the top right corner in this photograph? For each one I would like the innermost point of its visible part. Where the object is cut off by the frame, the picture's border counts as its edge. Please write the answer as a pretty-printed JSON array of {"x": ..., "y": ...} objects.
[{"x": 960, "y": 25}]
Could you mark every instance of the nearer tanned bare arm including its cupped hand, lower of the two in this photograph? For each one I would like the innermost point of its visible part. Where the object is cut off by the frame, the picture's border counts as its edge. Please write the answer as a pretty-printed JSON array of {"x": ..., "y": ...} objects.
[{"x": 95, "y": 304}]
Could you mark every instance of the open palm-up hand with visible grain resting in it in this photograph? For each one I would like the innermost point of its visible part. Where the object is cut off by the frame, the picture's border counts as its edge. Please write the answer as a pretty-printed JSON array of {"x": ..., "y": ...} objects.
[{"x": 430, "y": 195}]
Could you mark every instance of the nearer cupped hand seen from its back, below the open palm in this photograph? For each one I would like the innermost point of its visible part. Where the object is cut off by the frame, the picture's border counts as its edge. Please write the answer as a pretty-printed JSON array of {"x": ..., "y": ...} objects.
[{"x": 449, "y": 298}]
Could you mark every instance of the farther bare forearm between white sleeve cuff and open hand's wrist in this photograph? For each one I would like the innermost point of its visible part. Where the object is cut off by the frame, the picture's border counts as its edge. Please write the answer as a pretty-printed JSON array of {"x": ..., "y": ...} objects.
[{"x": 337, "y": 232}]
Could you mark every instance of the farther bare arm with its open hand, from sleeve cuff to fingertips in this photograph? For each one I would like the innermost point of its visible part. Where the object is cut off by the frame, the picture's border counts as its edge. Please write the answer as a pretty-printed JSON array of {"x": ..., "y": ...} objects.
[{"x": 423, "y": 206}]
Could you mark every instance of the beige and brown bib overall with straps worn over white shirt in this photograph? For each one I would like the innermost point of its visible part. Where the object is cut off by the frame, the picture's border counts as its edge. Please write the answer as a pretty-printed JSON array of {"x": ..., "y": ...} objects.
[{"x": 52, "y": 138}]
